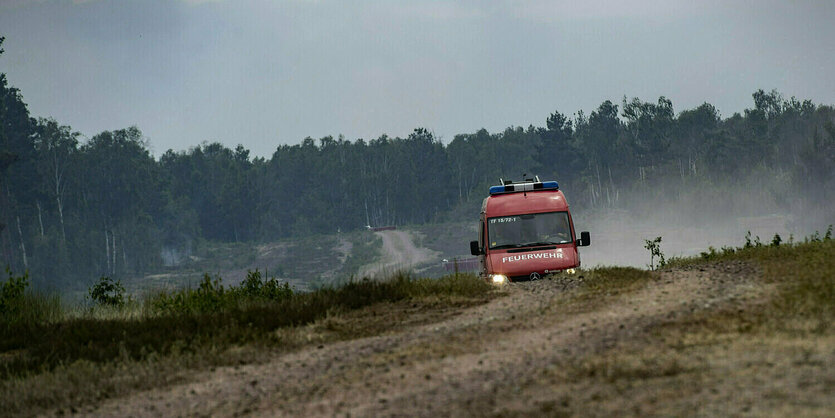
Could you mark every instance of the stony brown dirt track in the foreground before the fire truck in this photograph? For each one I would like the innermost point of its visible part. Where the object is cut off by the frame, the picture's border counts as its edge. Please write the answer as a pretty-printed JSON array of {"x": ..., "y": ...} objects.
[{"x": 465, "y": 365}]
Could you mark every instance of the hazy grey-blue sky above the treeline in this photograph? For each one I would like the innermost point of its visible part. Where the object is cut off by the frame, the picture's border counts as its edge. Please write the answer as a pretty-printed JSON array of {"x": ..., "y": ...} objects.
[{"x": 264, "y": 73}]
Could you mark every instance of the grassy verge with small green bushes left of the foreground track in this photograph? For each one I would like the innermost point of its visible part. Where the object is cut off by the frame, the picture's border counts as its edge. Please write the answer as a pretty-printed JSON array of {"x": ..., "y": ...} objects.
[{"x": 55, "y": 355}]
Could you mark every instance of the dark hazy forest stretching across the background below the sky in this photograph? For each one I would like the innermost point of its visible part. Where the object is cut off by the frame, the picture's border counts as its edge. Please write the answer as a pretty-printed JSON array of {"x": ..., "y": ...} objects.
[{"x": 74, "y": 209}]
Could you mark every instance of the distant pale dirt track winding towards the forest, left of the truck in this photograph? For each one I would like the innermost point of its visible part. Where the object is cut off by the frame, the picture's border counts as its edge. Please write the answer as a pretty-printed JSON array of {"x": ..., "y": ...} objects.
[{"x": 399, "y": 253}]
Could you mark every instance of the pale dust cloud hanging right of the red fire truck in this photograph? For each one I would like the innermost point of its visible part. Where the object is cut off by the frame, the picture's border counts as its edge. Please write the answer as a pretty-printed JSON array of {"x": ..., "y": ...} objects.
[{"x": 690, "y": 220}]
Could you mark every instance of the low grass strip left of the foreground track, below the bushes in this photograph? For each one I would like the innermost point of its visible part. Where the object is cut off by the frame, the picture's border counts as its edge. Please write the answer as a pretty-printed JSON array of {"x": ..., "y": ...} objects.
[{"x": 85, "y": 359}]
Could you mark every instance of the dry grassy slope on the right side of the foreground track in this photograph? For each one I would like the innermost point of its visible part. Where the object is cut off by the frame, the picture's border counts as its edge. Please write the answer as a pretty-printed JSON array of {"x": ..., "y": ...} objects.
[{"x": 774, "y": 357}]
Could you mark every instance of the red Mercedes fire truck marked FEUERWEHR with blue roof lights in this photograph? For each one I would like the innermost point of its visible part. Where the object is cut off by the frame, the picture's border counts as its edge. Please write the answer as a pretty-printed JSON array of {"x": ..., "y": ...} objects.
[{"x": 526, "y": 232}]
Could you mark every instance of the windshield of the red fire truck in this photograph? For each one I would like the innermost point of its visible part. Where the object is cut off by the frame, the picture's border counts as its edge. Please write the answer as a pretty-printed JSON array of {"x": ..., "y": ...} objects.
[{"x": 528, "y": 230}]
